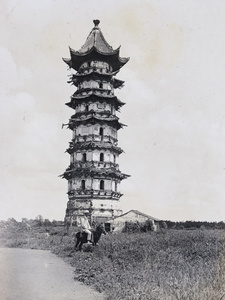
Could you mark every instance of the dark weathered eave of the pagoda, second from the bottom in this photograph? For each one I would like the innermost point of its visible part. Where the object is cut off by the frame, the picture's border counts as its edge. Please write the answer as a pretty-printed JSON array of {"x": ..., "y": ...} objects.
[{"x": 86, "y": 145}]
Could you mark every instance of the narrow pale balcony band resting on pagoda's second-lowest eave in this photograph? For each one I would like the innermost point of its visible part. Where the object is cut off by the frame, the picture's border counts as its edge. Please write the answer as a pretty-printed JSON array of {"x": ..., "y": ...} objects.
[{"x": 94, "y": 138}]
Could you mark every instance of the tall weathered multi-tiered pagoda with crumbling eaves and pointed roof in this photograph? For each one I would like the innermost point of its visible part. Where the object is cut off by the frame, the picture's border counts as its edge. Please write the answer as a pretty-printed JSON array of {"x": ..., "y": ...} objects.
[{"x": 93, "y": 174}]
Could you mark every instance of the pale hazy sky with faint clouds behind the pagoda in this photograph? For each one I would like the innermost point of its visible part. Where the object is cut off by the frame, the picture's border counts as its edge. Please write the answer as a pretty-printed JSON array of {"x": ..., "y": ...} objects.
[{"x": 174, "y": 93}]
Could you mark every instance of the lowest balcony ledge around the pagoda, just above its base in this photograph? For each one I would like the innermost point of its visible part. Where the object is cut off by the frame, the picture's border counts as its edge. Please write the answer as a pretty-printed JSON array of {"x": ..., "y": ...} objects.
[{"x": 95, "y": 193}]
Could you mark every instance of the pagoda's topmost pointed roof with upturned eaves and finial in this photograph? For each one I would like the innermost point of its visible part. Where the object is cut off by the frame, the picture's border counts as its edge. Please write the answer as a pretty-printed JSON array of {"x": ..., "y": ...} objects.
[{"x": 96, "y": 48}]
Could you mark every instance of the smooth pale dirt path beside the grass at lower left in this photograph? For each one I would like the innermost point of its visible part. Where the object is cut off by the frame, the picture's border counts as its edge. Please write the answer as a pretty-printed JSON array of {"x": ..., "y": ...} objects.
[{"x": 39, "y": 275}]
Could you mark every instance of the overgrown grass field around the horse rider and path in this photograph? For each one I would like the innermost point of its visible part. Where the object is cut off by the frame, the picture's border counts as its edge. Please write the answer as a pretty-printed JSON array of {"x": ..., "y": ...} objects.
[{"x": 166, "y": 265}]
